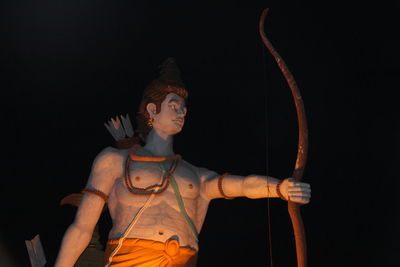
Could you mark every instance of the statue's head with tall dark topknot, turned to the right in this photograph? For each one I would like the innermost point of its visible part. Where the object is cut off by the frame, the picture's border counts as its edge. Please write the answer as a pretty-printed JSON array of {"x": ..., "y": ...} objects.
[{"x": 167, "y": 93}]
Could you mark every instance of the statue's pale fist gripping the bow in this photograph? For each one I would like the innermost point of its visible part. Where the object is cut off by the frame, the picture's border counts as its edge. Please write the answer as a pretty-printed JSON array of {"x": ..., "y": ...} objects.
[{"x": 295, "y": 191}]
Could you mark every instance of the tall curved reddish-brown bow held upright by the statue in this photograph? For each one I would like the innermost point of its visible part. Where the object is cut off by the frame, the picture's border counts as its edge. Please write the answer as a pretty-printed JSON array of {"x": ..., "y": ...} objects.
[{"x": 294, "y": 208}]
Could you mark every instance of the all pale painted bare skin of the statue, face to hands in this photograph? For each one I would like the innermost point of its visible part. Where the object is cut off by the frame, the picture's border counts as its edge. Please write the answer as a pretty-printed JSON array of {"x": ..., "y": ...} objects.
[{"x": 162, "y": 220}]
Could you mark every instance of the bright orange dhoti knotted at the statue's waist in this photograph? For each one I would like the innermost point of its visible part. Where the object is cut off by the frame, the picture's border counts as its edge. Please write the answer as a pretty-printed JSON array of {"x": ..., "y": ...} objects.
[{"x": 148, "y": 253}]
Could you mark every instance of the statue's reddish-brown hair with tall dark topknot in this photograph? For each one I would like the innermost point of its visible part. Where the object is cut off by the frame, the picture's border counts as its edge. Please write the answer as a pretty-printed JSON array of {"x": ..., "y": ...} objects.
[{"x": 156, "y": 92}]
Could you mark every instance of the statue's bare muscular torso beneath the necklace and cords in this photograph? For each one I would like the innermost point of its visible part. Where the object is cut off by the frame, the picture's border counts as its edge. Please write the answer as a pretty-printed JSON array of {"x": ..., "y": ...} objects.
[{"x": 162, "y": 220}]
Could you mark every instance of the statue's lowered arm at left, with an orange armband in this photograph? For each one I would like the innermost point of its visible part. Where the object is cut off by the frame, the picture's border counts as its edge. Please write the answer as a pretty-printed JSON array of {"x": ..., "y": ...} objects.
[{"x": 106, "y": 168}]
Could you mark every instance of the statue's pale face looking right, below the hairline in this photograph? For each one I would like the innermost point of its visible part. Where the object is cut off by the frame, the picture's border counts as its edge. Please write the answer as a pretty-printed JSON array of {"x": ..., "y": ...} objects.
[{"x": 171, "y": 118}]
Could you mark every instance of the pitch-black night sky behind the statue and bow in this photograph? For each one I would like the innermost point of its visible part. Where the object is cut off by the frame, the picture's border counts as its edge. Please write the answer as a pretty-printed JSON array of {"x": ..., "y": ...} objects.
[{"x": 69, "y": 66}]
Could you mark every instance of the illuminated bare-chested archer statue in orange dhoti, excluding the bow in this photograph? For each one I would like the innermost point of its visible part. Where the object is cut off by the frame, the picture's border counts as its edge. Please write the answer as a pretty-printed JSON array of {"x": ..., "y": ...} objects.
[{"x": 157, "y": 200}]
